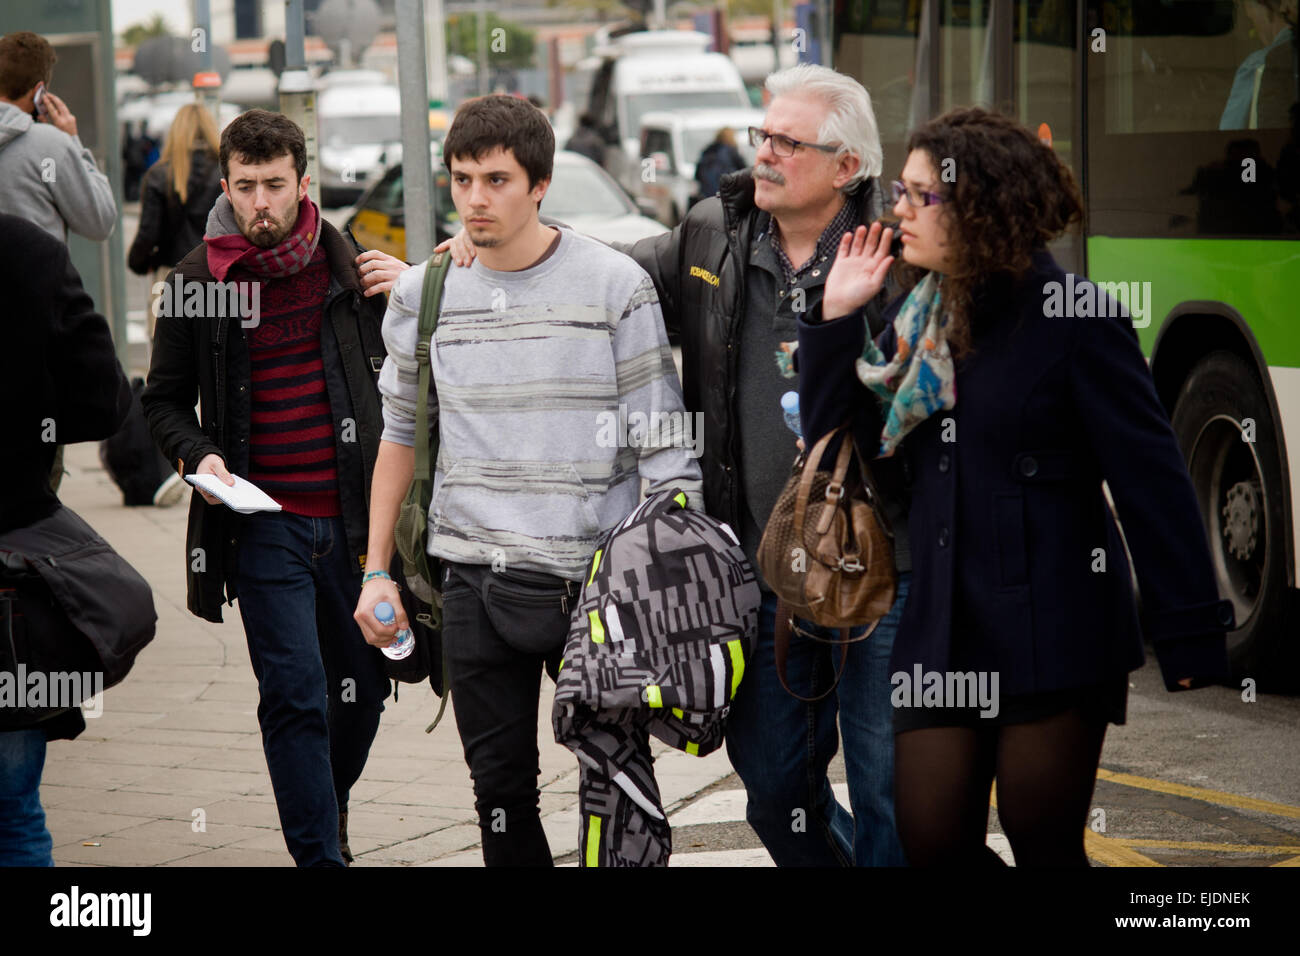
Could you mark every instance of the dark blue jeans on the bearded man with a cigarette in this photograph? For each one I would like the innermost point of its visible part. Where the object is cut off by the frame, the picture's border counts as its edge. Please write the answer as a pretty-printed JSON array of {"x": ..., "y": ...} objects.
[{"x": 322, "y": 686}]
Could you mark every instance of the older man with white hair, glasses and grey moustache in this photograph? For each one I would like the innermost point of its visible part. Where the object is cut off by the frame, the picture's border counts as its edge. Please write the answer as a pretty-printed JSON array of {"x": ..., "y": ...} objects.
[{"x": 733, "y": 278}]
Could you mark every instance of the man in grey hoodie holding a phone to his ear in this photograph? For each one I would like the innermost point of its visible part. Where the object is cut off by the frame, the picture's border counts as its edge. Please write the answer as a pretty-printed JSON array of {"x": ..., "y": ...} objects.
[{"x": 47, "y": 178}]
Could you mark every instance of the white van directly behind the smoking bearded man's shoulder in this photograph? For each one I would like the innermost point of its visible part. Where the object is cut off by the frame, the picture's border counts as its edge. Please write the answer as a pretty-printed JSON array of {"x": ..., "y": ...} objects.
[{"x": 356, "y": 124}]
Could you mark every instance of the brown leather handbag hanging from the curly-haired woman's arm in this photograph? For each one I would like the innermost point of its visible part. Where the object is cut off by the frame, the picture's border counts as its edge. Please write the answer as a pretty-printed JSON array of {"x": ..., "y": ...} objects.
[{"x": 827, "y": 552}]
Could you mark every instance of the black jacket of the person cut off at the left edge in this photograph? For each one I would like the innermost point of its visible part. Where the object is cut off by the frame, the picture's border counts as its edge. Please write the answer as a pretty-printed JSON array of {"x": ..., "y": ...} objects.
[{"x": 60, "y": 382}]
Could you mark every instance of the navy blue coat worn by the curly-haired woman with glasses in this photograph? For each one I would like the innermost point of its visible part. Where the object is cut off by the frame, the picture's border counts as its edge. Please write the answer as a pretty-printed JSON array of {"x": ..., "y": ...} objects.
[{"x": 1008, "y": 513}]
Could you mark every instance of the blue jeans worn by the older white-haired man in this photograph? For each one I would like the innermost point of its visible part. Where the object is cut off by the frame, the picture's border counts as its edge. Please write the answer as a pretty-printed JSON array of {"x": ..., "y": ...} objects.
[{"x": 782, "y": 747}]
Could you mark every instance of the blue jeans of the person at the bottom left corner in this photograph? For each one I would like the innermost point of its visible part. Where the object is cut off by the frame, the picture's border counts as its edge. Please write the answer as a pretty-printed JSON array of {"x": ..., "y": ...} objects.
[{"x": 24, "y": 838}]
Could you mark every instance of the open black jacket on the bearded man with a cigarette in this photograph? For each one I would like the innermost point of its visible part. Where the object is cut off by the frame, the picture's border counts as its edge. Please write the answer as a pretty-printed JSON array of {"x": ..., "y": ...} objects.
[{"x": 207, "y": 357}]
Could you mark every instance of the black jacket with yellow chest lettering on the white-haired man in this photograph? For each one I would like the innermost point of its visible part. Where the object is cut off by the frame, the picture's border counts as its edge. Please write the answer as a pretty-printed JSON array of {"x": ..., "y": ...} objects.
[{"x": 699, "y": 271}]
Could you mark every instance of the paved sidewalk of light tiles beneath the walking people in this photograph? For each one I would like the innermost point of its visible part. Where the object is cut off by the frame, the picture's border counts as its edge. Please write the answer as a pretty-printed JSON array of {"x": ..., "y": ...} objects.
[{"x": 174, "y": 775}]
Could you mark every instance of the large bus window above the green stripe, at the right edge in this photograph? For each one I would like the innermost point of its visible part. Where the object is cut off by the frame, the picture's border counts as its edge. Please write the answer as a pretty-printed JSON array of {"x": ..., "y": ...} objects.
[{"x": 1191, "y": 119}]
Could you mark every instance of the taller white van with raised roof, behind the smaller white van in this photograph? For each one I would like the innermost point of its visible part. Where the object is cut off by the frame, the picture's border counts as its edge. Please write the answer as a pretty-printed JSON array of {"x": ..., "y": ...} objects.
[{"x": 651, "y": 72}]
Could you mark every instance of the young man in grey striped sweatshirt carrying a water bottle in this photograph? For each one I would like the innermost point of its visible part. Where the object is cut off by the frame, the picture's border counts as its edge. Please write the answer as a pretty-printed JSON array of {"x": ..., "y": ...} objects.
[{"x": 557, "y": 395}]
